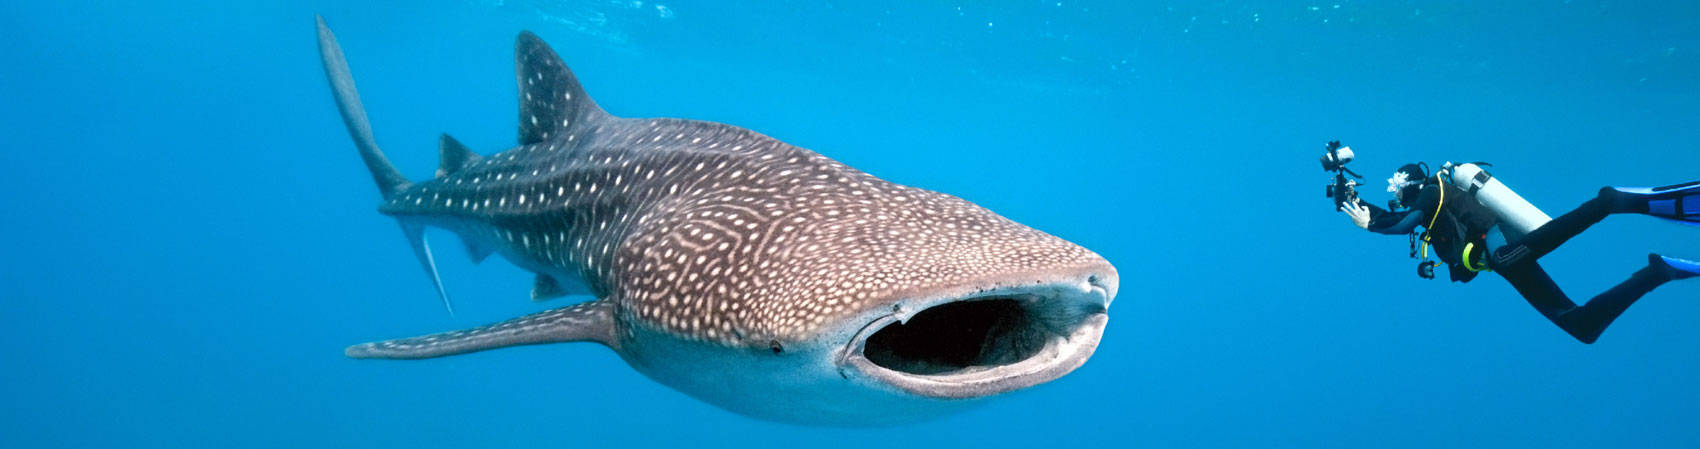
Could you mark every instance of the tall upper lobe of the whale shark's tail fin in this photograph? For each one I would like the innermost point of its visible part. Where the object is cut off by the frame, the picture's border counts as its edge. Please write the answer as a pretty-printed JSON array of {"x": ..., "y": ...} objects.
[{"x": 390, "y": 181}]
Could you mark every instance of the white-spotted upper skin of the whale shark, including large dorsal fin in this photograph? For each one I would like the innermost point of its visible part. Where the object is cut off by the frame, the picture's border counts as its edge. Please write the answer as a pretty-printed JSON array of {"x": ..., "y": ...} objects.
[{"x": 710, "y": 230}]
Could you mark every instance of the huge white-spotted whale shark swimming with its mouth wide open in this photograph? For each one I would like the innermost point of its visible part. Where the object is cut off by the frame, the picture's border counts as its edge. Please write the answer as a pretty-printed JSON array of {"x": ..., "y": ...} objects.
[{"x": 739, "y": 270}]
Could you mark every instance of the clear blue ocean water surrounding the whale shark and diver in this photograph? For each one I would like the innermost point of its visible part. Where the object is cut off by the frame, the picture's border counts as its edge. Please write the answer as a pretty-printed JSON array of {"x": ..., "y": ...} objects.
[{"x": 191, "y": 239}]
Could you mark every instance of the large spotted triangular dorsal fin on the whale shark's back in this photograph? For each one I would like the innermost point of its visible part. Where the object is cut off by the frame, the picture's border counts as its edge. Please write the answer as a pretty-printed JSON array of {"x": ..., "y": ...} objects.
[{"x": 552, "y": 101}]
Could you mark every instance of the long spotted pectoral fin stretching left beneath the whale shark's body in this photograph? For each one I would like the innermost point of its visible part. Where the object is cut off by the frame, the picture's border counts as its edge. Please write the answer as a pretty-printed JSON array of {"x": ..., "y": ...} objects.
[{"x": 584, "y": 322}]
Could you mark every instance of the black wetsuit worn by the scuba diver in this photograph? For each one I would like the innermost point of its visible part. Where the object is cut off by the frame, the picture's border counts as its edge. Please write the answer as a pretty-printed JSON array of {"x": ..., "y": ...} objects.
[{"x": 1517, "y": 261}]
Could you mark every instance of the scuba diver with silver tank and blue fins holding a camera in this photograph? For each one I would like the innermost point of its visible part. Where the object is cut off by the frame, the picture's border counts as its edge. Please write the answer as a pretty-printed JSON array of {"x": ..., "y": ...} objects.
[{"x": 1476, "y": 224}]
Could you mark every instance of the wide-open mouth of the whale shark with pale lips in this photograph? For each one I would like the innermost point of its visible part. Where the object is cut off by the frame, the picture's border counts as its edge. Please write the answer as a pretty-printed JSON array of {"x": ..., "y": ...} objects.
[{"x": 983, "y": 344}]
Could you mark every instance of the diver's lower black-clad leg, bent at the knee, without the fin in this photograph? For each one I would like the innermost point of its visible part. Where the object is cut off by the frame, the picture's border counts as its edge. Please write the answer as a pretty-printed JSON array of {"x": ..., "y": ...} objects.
[{"x": 1584, "y": 322}]
